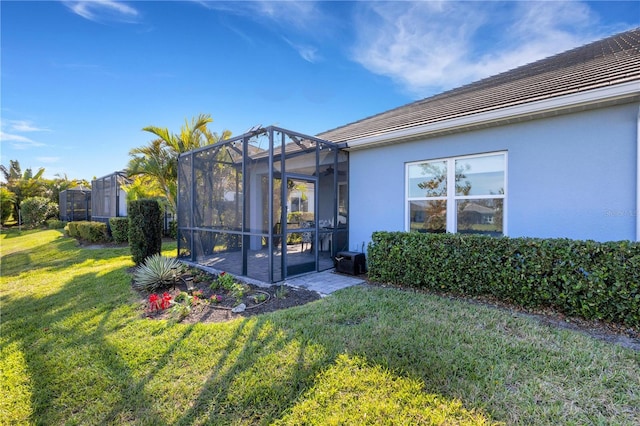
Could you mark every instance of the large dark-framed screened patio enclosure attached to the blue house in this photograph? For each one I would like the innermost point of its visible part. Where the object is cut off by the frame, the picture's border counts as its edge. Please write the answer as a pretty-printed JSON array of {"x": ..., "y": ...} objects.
[{"x": 267, "y": 205}]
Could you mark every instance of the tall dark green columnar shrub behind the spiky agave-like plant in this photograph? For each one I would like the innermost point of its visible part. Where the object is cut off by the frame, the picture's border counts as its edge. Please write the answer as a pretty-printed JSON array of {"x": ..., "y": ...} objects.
[{"x": 145, "y": 229}]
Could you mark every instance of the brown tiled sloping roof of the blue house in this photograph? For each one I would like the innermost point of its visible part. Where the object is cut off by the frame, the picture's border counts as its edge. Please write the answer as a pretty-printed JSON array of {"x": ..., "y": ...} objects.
[{"x": 606, "y": 62}]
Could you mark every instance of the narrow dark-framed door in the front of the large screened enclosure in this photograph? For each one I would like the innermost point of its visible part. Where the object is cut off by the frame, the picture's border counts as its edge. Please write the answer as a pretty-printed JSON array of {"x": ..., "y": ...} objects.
[{"x": 300, "y": 205}]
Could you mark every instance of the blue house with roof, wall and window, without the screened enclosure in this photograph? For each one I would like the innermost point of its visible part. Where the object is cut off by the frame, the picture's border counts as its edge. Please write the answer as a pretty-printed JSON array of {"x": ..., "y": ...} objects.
[{"x": 549, "y": 149}]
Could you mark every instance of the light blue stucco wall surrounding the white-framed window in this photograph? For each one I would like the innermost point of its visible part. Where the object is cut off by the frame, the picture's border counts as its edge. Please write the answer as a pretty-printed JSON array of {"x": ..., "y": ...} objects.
[{"x": 570, "y": 176}]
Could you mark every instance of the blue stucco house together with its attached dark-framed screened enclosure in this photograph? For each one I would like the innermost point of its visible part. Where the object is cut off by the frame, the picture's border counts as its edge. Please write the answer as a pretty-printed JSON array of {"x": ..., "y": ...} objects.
[{"x": 549, "y": 149}]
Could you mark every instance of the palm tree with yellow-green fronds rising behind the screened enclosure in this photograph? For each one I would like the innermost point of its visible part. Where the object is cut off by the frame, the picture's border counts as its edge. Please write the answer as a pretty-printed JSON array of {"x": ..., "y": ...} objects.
[{"x": 159, "y": 159}]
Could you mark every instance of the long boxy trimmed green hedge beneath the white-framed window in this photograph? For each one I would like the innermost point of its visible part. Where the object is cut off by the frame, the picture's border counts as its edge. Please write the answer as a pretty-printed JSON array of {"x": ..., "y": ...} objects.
[{"x": 578, "y": 278}]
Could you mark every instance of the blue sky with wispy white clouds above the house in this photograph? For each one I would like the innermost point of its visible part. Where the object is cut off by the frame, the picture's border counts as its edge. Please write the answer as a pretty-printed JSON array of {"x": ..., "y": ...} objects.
[{"x": 80, "y": 79}]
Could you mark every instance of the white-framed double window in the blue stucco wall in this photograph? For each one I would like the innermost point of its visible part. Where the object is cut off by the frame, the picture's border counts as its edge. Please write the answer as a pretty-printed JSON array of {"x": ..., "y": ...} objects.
[{"x": 460, "y": 194}]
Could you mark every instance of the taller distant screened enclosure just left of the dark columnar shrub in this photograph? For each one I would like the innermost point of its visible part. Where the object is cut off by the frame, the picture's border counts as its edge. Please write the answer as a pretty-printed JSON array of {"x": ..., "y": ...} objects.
[{"x": 108, "y": 199}]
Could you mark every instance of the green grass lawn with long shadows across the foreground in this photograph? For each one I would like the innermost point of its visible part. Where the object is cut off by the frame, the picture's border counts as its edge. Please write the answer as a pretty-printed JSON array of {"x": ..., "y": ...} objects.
[{"x": 75, "y": 349}]
